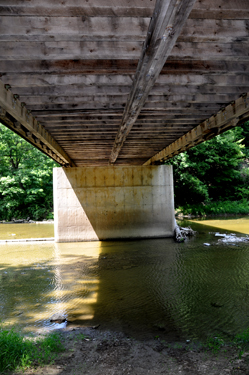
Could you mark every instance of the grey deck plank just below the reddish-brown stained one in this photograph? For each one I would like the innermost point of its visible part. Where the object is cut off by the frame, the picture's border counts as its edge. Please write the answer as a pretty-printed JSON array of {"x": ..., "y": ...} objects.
[{"x": 48, "y": 81}]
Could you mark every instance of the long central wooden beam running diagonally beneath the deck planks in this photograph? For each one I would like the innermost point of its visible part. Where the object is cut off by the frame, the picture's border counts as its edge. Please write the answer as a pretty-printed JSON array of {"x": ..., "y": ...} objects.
[{"x": 166, "y": 24}]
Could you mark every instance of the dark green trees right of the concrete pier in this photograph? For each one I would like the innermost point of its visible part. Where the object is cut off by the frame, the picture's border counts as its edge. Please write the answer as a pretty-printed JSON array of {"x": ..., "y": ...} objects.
[{"x": 216, "y": 170}]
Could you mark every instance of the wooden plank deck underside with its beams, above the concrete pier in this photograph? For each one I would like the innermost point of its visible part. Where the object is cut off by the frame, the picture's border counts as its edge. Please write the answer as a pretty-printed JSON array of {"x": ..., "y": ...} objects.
[{"x": 72, "y": 65}]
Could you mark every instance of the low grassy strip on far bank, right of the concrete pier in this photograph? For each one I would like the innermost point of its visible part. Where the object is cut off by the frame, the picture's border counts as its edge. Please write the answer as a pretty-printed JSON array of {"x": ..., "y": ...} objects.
[{"x": 216, "y": 208}]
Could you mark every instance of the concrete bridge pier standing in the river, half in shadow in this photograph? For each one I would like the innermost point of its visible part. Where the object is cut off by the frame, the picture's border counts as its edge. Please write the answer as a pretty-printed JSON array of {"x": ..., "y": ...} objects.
[{"x": 100, "y": 203}]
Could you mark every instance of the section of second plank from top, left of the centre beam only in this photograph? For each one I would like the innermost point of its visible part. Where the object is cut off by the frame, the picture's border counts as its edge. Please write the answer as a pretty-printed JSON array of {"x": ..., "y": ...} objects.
[{"x": 26, "y": 28}]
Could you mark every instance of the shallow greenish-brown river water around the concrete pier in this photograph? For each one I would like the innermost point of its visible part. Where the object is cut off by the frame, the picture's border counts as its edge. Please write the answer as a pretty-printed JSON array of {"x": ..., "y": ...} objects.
[{"x": 145, "y": 288}]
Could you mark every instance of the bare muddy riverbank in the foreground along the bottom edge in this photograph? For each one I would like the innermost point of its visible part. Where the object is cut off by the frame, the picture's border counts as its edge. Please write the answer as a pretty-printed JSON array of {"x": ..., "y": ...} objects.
[{"x": 92, "y": 351}]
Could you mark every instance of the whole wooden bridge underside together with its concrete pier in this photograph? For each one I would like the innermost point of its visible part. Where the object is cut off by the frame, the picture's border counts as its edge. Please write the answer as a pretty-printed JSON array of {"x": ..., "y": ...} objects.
[{"x": 111, "y": 87}]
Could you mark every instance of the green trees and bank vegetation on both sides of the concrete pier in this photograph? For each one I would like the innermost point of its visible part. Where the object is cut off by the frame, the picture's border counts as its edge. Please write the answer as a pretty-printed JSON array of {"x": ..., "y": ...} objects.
[{"x": 210, "y": 179}]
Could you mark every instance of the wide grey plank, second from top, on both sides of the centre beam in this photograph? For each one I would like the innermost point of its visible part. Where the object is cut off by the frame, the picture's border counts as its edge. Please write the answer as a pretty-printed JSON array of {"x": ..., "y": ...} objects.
[{"x": 73, "y": 29}]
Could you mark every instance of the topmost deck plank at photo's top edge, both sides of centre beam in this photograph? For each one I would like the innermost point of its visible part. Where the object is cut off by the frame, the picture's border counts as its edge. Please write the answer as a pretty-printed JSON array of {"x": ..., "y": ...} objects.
[{"x": 105, "y": 7}]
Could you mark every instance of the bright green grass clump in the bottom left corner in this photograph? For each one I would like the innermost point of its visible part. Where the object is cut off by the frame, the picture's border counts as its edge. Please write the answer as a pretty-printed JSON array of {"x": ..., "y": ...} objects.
[{"x": 18, "y": 352}]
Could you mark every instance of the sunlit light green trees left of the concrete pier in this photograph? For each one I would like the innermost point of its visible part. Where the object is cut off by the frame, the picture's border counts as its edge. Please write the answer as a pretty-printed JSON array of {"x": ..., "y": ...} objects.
[{"x": 26, "y": 188}]
